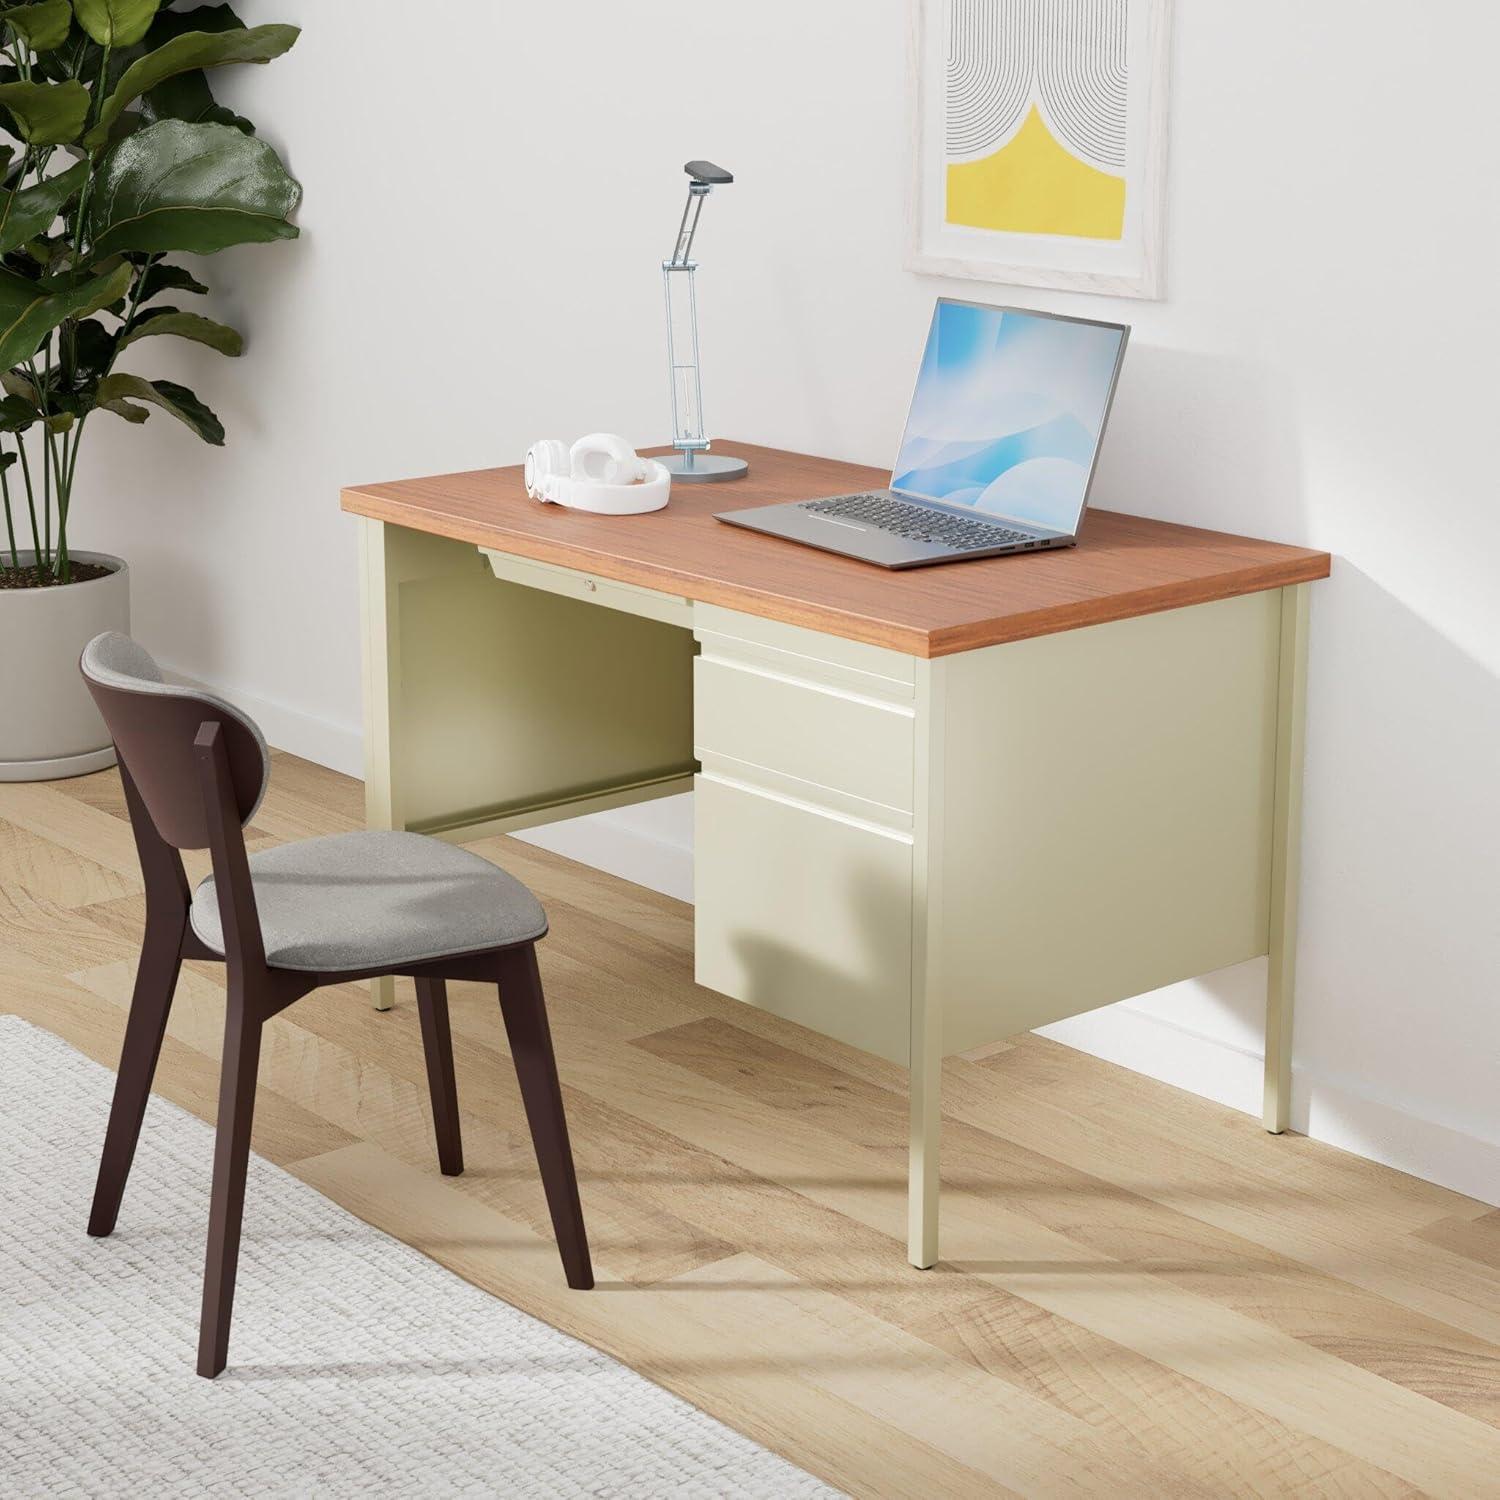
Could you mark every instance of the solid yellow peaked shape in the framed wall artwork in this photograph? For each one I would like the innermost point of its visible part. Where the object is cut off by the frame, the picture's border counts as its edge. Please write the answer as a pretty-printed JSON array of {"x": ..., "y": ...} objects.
[{"x": 1033, "y": 185}]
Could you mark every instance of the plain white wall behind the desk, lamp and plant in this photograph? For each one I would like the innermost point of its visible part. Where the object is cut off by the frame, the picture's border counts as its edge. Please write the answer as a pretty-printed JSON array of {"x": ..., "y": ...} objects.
[{"x": 490, "y": 193}]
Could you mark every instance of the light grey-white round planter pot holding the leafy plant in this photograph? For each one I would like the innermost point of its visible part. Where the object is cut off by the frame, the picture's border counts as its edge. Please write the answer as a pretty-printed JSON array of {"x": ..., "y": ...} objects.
[{"x": 49, "y": 724}]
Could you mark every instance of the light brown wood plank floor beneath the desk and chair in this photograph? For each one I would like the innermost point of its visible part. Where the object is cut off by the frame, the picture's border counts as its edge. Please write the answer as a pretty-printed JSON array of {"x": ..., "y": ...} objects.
[{"x": 1141, "y": 1294}]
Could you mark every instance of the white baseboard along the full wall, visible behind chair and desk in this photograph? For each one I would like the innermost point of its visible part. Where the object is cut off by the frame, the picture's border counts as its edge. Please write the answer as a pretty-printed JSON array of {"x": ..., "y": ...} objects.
[{"x": 655, "y": 850}]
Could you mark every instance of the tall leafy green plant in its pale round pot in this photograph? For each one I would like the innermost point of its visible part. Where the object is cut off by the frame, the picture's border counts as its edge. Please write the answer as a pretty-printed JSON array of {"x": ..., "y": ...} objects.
[{"x": 119, "y": 158}]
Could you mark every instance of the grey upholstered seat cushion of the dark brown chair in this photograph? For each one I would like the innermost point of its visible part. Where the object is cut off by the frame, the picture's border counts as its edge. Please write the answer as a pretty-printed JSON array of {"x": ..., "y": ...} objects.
[{"x": 376, "y": 899}]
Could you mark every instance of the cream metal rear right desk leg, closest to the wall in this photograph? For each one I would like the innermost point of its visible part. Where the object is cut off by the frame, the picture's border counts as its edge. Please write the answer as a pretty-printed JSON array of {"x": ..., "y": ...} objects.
[{"x": 1285, "y": 857}]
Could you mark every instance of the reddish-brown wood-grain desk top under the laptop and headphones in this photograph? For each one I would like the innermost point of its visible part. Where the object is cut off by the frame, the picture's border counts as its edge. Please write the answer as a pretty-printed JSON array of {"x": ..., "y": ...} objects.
[{"x": 1123, "y": 566}]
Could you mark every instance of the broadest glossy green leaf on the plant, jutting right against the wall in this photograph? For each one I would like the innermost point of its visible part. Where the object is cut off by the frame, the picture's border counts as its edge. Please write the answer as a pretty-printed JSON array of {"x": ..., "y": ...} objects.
[{"x": 200, "y": 188}]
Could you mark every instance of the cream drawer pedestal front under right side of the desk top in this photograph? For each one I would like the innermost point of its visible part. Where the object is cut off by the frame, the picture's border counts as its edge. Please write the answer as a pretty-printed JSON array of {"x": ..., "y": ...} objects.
[{"x": 805, "y": 829}]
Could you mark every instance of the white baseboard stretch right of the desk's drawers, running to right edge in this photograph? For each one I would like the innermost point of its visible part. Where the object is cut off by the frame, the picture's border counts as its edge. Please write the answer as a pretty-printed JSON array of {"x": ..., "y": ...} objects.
[{"x": 1331, "y": 1111}]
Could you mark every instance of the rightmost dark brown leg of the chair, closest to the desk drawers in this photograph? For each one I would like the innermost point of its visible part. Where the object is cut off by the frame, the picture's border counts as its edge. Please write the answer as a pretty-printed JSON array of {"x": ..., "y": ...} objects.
[{"x": 523, "y": 1006}]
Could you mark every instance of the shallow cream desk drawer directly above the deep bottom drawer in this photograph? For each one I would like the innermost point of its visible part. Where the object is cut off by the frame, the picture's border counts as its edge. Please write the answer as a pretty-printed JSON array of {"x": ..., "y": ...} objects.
[{"x": 827, "y": 736}]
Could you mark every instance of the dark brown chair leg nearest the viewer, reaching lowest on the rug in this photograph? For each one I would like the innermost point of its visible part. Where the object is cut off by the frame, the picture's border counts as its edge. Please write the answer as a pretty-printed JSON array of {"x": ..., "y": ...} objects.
[{"x": 232, "y": 1153}]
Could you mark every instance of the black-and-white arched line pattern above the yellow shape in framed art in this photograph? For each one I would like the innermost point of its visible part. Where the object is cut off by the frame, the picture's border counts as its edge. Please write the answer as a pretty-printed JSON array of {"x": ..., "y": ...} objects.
[{"x": 1064, "y": 56}]
